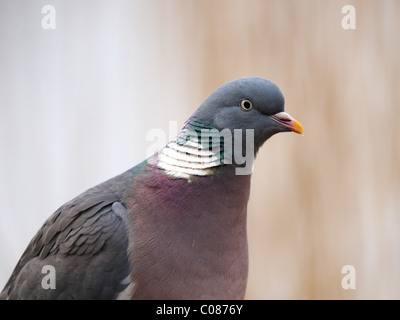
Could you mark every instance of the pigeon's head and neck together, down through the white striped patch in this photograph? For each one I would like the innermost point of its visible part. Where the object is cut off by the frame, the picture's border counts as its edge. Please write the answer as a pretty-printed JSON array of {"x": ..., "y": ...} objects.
[{"x": 236, "y": 119}]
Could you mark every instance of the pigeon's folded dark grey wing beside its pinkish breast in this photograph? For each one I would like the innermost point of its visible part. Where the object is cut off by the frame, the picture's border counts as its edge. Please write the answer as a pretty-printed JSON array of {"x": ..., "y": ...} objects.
[{"x": 79, "y": 253}]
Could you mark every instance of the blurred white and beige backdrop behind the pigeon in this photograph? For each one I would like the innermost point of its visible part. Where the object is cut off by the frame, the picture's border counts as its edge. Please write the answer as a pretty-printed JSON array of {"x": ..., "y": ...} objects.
[{"x": 76, "y": 103}]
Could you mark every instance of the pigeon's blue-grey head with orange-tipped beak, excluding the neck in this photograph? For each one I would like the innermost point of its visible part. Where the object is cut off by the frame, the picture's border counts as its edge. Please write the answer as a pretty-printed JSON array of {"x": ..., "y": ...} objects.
[{"x": 248, "y": 103}]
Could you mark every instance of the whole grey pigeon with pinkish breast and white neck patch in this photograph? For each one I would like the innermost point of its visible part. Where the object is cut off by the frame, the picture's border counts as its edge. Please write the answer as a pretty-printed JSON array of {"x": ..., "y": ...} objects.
[{"x": 171, "y": 227}]
